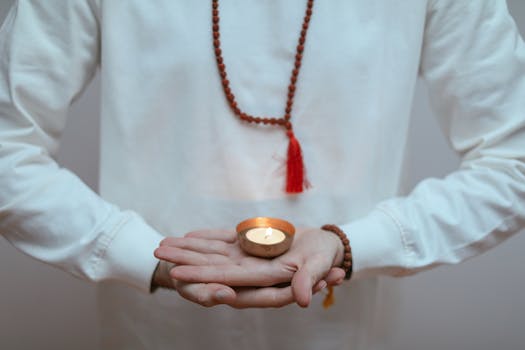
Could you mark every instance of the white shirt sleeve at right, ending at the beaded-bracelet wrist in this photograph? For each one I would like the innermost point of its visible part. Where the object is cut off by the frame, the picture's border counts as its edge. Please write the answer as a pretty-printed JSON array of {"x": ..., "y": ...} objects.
[{"x": 473, "y": 61}]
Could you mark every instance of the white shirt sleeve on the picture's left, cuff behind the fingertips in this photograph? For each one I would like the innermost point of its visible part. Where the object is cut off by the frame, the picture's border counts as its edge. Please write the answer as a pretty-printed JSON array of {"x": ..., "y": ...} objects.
[{"x": 49, "y": 51}]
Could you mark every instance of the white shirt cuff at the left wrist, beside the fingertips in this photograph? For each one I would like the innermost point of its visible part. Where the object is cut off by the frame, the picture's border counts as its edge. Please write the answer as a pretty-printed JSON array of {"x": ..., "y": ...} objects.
[{"x": 128, "y": 257}]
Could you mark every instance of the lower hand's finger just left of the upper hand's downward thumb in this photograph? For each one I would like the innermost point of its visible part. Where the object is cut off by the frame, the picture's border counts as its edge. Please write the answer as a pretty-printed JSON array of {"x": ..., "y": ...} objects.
[{"x": 268, "y": 297}]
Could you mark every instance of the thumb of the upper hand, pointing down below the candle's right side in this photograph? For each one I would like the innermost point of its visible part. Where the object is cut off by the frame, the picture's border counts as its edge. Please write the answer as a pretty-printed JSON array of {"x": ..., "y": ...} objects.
[{"x": 305, "y": 279}]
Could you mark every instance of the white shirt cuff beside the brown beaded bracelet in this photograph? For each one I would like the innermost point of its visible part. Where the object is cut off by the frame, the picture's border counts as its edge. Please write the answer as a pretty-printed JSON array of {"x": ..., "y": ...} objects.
[{"x": 379, "y": 245}]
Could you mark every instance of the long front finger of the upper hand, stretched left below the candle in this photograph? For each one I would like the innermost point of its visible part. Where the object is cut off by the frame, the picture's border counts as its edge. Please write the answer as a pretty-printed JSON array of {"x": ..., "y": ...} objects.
[{"x": 261, "y": 273}]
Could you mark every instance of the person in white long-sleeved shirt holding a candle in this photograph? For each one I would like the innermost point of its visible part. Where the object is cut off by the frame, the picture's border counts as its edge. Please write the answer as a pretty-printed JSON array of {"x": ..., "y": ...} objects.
[{"x": 176, "y": 159}]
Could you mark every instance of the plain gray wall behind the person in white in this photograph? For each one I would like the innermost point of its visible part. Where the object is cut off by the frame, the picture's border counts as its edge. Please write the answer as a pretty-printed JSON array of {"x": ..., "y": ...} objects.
[{"x": 479, "y": 304}]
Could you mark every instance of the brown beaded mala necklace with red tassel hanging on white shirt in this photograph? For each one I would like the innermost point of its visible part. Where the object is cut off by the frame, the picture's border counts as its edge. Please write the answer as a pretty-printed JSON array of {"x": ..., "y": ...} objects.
[{"x": 295, "y": 177}]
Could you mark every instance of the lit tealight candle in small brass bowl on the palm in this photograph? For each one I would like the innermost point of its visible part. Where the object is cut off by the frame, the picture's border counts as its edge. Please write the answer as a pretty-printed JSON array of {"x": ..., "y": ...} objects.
[{"x": 265, "y": 237}]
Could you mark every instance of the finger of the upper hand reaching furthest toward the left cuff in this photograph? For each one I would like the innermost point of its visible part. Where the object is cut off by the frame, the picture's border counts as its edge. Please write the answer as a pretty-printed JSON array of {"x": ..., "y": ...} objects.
[{"x": 188, "y": 257}]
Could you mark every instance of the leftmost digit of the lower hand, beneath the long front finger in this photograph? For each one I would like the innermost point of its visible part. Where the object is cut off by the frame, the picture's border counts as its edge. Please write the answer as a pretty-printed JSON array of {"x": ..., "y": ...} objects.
[{"x": 207, "y": 295}]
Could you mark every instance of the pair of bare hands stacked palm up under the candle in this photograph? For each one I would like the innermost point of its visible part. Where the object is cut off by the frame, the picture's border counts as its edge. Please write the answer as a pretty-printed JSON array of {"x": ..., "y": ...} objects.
[{"x": 211, "y": 263}]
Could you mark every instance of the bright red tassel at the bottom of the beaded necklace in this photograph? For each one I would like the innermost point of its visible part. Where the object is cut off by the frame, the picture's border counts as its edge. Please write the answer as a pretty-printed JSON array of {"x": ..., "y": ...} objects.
[{"x": 295, "y": 177}]
